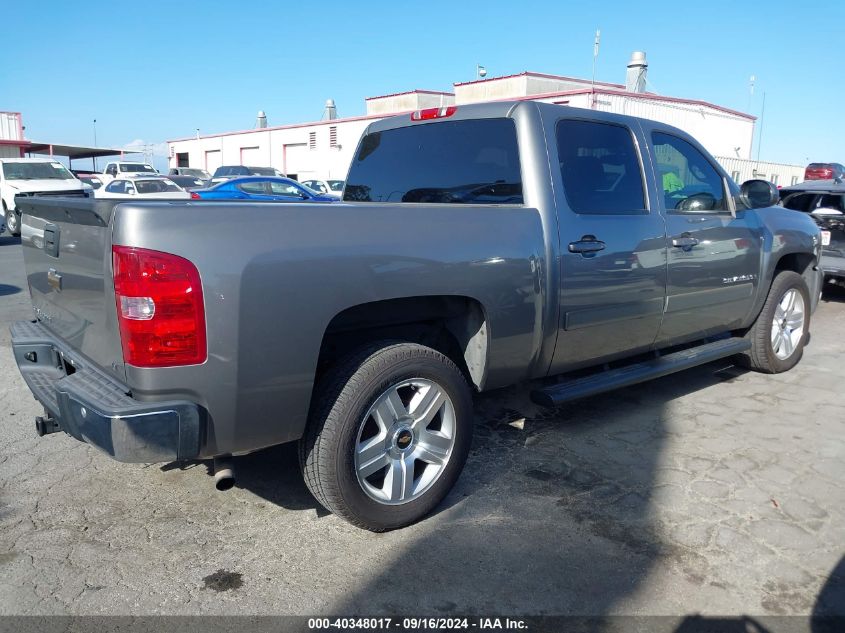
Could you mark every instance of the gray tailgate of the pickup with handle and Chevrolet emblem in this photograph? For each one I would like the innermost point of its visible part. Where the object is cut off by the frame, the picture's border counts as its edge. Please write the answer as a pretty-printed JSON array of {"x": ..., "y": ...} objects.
[{"x": 67, "y": 255}]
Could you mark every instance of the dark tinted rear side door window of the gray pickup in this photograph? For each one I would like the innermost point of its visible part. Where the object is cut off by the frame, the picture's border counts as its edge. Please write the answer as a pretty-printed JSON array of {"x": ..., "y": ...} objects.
[{"x": 600, "y": 168}]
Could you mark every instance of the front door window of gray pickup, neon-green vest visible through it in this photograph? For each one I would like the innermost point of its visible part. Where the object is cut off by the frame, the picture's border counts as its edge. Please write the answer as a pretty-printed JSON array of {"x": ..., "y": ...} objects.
[{"x": 690, "y": 183}]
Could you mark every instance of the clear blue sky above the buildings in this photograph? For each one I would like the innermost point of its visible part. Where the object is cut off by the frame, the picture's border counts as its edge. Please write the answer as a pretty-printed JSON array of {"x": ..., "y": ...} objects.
[{"x": 159, "y": 70}]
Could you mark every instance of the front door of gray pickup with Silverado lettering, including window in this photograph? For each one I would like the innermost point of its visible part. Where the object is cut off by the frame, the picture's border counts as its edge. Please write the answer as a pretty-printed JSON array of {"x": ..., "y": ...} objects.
[{"x": 714, "y": 255}]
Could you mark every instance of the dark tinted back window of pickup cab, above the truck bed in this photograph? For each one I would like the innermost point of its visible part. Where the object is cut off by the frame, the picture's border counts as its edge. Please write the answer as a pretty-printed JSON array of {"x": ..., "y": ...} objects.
[{"x": 454, "y": 162}]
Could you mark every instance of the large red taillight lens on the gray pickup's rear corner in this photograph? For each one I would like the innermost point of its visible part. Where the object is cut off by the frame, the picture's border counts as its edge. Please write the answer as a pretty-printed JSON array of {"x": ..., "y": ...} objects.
[{"x": 160, "y": 308}]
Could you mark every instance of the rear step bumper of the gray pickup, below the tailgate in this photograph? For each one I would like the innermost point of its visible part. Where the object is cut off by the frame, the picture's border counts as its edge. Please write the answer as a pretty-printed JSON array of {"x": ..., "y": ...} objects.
[{"x": 94, "y": 408}]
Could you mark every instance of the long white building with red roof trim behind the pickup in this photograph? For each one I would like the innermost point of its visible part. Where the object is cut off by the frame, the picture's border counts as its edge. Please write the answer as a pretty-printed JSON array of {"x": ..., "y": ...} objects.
[{"x": 324, "y": 149}]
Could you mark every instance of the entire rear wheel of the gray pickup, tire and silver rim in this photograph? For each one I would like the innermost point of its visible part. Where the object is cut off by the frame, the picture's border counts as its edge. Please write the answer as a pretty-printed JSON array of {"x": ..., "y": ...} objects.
[{"x": 389, "y": 435}]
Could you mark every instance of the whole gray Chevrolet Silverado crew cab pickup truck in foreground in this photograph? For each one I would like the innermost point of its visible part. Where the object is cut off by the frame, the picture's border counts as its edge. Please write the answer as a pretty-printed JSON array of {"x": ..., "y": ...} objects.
[{"x": 475, "y": 247}]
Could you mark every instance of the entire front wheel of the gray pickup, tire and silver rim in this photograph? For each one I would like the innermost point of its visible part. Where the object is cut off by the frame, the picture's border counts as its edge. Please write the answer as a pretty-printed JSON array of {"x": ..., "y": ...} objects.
[{"x": 780, "y": 332}]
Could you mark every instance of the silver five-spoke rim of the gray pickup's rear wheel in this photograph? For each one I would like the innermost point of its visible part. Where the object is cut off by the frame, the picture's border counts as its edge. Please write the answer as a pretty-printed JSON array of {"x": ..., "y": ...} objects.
[{"x": 405, "y": 441}]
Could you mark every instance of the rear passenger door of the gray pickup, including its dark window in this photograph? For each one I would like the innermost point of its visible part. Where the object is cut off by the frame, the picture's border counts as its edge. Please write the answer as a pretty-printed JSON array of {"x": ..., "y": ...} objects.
[{"x": 613, "y": 246}]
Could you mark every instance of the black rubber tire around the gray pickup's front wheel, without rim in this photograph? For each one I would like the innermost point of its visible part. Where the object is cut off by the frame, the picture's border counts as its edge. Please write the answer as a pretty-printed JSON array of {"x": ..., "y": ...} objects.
[{"x": 762, "y": 356}]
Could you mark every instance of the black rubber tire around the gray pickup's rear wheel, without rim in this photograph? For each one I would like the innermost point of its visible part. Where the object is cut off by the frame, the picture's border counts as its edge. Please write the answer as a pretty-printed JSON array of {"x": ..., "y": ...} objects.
[{"x": 339, "y": 410}]
